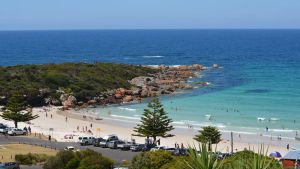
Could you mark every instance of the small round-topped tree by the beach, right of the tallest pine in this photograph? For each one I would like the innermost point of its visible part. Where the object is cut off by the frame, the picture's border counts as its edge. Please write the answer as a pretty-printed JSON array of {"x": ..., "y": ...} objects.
[{"x": 208, "y": 135}]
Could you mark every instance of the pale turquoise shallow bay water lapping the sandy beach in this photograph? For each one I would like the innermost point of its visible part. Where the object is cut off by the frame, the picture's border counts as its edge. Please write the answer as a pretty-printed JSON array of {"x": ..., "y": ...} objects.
[{"x": 271, "y": 95}]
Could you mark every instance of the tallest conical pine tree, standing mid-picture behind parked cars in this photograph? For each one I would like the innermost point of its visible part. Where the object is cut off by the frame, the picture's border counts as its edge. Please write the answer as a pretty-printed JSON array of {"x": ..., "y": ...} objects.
[{"x": 154, "y": 122}]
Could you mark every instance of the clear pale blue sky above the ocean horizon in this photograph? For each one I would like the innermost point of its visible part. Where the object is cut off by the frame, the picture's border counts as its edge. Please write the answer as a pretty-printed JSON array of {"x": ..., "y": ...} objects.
[{"x": 148, "y": 14}]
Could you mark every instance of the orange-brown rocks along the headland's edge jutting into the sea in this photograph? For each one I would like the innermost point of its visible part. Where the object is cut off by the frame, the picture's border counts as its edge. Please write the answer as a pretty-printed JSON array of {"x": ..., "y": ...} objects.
[{"x": 165, "y": 81}]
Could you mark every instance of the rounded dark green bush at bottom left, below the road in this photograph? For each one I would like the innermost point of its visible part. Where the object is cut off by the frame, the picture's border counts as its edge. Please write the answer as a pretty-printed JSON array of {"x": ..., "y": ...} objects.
[{"x": 84, "y": 159}]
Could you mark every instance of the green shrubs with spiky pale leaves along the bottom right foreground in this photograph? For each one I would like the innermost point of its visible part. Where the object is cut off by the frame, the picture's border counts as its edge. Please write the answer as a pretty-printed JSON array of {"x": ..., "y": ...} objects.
[{"x": 202, "y": 158}]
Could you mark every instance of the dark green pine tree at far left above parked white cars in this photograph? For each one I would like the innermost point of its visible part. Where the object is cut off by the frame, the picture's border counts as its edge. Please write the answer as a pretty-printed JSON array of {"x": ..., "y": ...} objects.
[{"x": 14, "y": 108}]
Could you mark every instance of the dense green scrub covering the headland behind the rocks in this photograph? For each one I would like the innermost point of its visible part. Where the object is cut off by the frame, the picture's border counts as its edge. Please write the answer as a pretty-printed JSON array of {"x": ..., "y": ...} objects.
[{"x": 40, "y": 84}]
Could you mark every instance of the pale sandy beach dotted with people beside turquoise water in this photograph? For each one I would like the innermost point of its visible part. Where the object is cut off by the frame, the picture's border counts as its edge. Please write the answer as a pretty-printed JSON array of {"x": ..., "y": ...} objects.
[{"x": 71, "y": 122}]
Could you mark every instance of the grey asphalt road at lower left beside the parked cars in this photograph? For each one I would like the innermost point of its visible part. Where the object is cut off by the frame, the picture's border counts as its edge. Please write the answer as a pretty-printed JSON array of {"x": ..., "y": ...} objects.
[{"x": 117, "y": 155}]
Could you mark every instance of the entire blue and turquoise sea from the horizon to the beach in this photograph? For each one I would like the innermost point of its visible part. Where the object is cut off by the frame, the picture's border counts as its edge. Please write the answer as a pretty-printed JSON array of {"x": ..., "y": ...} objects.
[{"x": 257, "y": 85}]
